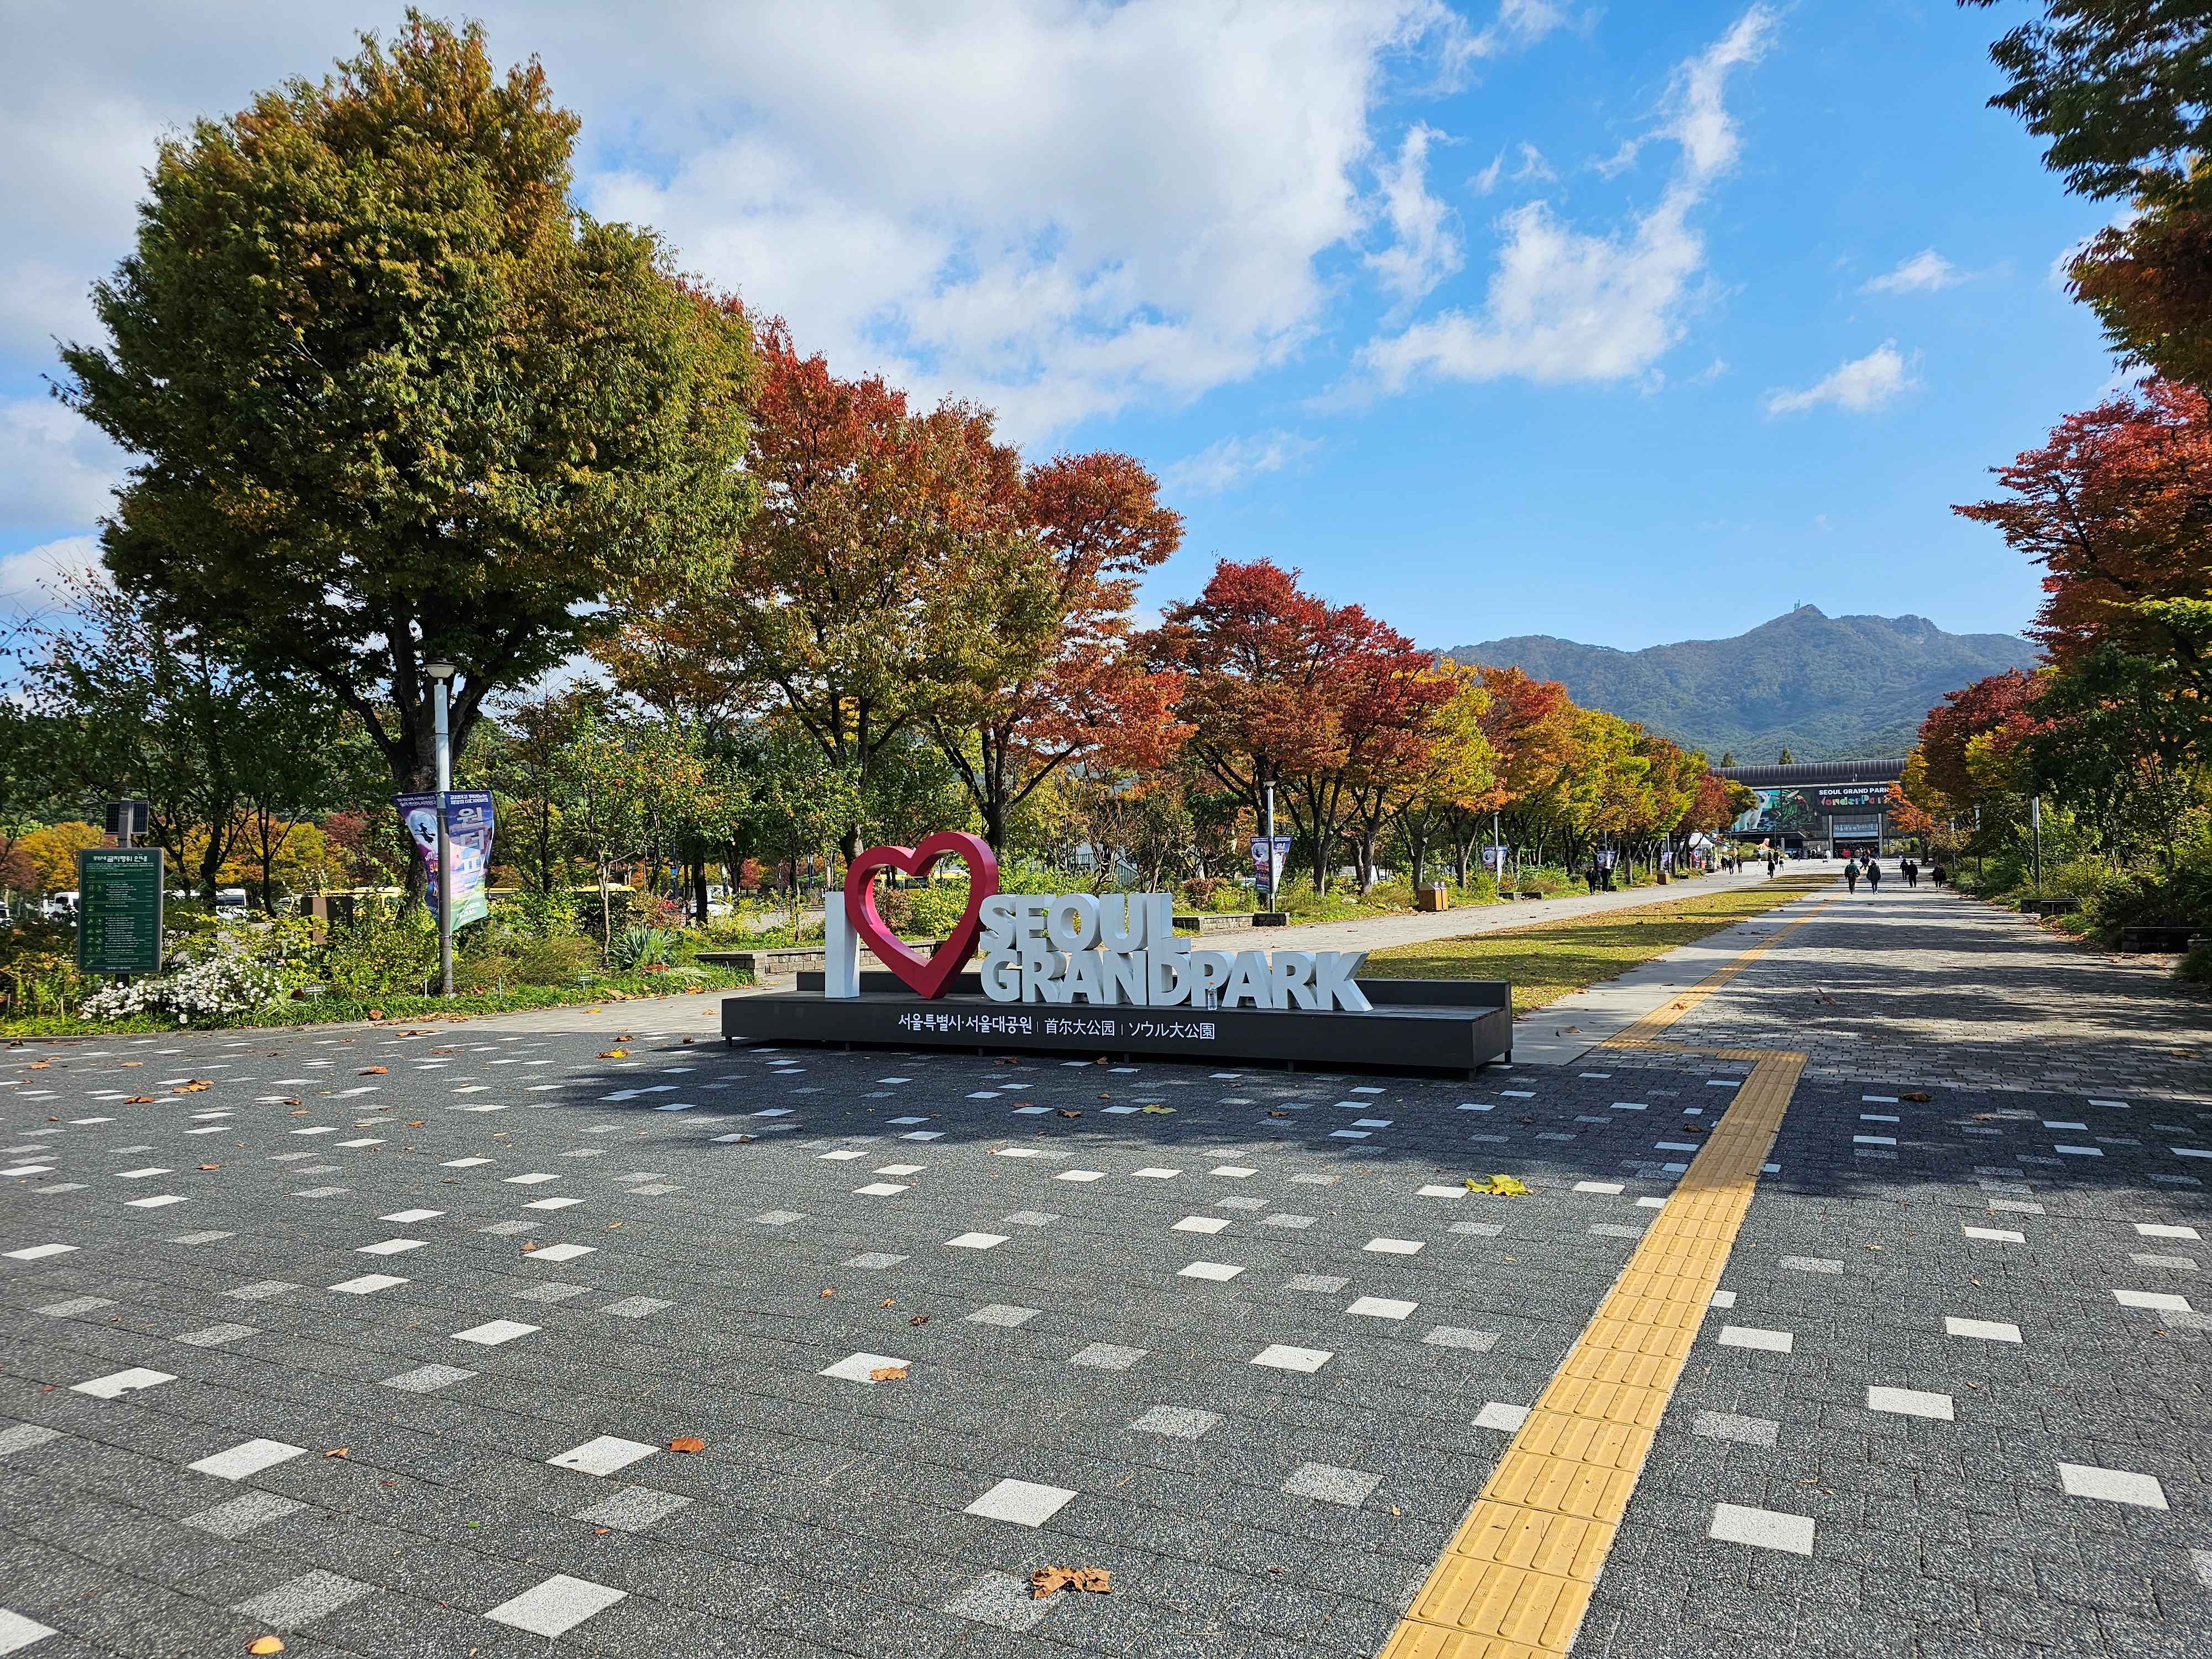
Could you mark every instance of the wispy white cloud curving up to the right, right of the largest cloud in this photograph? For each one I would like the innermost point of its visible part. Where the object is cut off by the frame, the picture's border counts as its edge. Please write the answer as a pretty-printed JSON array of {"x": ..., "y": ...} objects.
[{"x": 1565, "y": 304}]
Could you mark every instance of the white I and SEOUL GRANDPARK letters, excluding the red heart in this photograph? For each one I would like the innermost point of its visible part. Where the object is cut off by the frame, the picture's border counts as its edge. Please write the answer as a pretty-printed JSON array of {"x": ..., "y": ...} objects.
[{"x": 1123, "y": 950}]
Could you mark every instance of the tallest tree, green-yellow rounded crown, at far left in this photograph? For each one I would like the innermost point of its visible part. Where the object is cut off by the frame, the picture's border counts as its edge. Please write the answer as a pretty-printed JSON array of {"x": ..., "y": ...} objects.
[{"x": 395, "y": 399}]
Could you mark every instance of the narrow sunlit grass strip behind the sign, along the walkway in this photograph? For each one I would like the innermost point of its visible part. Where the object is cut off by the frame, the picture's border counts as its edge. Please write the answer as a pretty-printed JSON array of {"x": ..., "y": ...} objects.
[{"x": 1558, "y": 959}]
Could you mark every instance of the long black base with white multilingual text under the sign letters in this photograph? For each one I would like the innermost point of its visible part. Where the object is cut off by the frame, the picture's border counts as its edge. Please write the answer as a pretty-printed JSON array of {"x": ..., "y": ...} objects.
[{"x": 1417, "y": 1025}]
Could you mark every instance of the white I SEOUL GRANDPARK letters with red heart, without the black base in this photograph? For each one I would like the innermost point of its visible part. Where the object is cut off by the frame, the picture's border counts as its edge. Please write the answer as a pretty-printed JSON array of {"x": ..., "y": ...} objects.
[{"x": 1072, "y": 948}]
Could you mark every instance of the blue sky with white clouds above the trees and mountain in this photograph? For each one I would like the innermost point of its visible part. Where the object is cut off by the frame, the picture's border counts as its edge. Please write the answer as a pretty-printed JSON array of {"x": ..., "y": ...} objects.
[{"x": 1620, "y": 324}]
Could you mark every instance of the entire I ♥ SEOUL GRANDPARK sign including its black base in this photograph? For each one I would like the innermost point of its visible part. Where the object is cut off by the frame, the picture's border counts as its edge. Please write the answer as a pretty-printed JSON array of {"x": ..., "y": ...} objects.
[{"x": 1087, "y": 974}]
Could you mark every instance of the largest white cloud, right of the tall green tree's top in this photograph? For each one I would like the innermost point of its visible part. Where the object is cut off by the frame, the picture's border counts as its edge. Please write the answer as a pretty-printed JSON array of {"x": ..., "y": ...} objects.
[{"x": 1061, "y": 209}]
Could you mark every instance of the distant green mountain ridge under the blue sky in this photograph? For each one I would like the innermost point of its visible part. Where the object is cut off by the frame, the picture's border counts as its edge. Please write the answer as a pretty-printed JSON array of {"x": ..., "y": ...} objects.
[{"x": 1828, "y": 689}]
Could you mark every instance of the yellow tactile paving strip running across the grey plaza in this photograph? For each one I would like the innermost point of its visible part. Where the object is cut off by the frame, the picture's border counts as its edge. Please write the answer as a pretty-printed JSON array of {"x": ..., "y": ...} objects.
[{"x": 1519, "y": 1576}]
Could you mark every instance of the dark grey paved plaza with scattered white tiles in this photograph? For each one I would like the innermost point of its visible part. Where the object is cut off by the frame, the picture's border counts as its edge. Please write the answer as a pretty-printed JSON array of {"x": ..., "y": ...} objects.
[{"x": 386, "y": 1339}]
